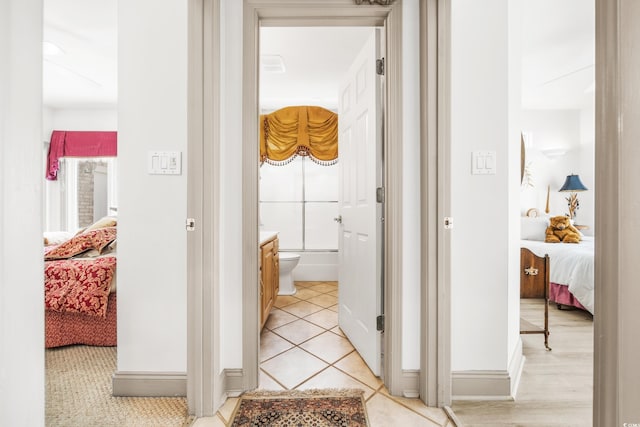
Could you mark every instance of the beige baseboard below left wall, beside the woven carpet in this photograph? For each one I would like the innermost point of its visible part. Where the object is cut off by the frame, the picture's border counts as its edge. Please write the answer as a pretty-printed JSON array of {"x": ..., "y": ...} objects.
[{"x": 149, "y": 384}]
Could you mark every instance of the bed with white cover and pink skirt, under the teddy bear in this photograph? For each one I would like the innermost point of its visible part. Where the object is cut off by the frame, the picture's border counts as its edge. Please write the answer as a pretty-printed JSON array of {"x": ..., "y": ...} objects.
[{"x": 571, "y": 274}]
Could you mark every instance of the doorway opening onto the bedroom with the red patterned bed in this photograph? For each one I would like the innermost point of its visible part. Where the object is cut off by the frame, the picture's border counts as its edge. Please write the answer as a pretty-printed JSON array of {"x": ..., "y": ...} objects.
[{"x": 79, "y": 93}]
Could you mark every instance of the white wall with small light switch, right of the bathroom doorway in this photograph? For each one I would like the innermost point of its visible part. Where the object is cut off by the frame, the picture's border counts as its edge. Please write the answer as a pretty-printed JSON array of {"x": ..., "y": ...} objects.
[{"x": 484, "y": 335}]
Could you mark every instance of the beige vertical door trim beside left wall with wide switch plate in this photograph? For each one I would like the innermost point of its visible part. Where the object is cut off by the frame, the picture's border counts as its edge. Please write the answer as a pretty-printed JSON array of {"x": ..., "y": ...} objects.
[{"x": 205, "y": 386}]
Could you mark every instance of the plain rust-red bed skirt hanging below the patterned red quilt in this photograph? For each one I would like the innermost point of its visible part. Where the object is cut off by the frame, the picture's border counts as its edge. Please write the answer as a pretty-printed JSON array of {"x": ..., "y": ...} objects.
[{"x": 75, "y": 328}]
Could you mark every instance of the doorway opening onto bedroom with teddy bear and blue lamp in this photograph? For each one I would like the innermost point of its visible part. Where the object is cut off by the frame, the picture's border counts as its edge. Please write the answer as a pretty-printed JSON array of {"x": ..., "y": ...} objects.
[{"x": 553, "y": 150}]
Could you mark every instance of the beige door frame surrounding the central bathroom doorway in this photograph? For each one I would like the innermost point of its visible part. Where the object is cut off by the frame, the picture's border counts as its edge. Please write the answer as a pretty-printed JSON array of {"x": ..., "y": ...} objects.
[{"x": 300, "y": 13}]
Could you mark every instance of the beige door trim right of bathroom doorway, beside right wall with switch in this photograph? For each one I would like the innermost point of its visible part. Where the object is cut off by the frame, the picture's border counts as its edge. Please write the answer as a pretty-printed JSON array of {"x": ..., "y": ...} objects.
[{"x": 435, "y": 241}]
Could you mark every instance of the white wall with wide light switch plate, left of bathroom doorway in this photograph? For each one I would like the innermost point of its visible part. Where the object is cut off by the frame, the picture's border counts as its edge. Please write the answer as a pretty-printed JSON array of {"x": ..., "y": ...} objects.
[{"x": 152, "y": 115}]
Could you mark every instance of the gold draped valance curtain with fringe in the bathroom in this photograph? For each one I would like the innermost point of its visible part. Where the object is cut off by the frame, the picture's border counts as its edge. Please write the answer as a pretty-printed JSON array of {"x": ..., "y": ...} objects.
[{"x": 299, "y": 131}]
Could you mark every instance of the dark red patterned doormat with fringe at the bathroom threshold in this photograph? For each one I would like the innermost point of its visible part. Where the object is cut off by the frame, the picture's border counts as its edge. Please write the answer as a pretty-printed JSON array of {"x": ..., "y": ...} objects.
[{"x": 332, "y": 407}]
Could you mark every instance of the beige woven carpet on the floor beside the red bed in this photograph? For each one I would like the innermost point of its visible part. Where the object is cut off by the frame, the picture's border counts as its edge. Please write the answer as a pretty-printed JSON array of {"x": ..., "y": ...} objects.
[{"x": 78, "y": 393}]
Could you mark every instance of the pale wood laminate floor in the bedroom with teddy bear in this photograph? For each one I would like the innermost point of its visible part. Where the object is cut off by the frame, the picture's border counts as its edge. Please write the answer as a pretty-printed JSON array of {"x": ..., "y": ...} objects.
[{"x": 556, "y": 387}]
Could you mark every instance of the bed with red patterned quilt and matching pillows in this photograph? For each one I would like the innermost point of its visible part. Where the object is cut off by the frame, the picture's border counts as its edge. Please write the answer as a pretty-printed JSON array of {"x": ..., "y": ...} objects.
[{"x": 80, "y": 289}]
